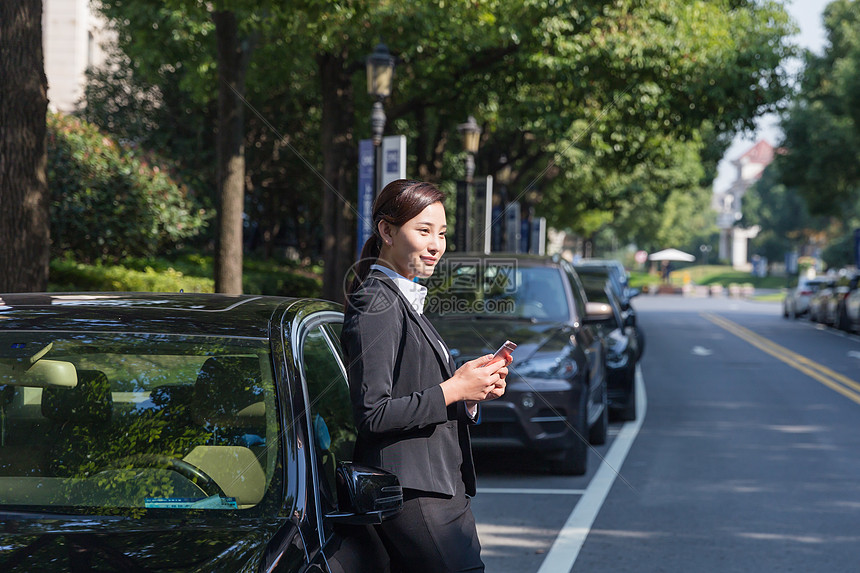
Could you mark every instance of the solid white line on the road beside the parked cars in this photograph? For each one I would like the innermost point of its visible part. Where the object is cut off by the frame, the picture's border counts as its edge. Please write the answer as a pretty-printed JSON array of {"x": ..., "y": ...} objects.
[{"x": 565, "y": 549}]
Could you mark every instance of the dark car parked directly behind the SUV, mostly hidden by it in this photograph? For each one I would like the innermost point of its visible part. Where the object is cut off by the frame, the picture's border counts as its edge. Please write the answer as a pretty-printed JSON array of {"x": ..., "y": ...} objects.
[{"x": 622, "y": 347}]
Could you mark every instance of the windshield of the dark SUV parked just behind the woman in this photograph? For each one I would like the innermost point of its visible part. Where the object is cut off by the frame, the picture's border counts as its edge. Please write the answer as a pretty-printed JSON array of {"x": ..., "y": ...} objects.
[{"x": 498, "y": 289}]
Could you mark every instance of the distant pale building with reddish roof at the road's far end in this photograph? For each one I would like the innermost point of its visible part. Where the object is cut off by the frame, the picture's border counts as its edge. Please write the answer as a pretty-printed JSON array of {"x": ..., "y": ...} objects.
[{"x": 727, "y": 204}]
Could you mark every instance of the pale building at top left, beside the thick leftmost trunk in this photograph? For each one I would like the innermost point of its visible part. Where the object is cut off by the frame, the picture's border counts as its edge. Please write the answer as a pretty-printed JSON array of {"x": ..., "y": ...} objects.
[{"x": 72, "y": 36}]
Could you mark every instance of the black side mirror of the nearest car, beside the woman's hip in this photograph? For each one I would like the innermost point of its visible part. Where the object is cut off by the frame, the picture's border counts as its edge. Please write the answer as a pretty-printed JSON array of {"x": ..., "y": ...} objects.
[{"x": 366, "y": 495}]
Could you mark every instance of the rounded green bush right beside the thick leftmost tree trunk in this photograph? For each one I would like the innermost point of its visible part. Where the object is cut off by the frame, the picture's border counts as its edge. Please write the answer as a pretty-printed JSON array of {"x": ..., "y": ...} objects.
[{"x": 109, "y": 200}]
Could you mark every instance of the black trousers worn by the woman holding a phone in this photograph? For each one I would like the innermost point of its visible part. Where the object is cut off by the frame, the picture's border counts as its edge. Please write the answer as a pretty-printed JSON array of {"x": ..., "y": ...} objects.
[{"x": 433, "y": 534}]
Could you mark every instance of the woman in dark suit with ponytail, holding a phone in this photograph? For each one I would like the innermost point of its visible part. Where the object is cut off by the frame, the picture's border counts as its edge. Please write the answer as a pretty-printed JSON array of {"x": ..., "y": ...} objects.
[{"x": 411, "y": 407}]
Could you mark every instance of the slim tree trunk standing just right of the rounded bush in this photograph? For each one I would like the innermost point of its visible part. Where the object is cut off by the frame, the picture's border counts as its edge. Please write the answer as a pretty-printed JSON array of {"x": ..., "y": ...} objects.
[{"x": 232, "y": 64}]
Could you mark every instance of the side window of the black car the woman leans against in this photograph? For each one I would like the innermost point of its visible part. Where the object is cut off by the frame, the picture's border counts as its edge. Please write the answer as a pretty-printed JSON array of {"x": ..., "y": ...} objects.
[{"x": 330, "y": 413}]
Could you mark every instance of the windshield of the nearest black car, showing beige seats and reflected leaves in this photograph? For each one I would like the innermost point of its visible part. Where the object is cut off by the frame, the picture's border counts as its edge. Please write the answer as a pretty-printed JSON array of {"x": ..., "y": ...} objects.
[{"x": 103, "y": 422}]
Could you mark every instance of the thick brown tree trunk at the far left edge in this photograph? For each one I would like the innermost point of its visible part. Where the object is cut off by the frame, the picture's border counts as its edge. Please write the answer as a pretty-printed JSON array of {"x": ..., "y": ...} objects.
[{"x": 24, "y": 203}]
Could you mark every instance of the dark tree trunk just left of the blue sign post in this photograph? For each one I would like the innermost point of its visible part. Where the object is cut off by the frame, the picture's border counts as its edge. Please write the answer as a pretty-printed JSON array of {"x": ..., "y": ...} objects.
[{"x": 339, "y": 165}]
